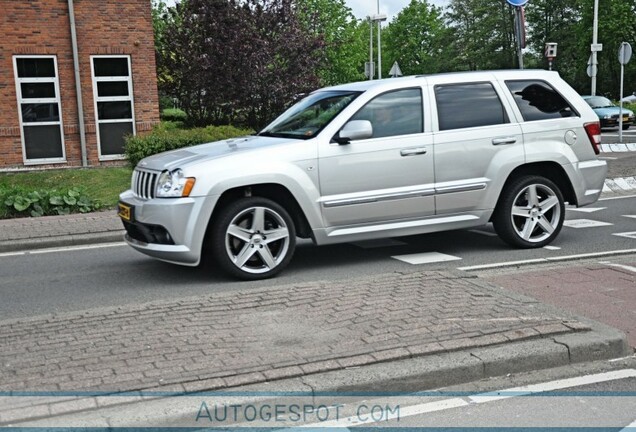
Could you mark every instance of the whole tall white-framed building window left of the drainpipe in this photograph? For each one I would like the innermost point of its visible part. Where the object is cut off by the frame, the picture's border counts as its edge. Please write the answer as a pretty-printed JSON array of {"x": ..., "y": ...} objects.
[{"x": 38, "y": 91}]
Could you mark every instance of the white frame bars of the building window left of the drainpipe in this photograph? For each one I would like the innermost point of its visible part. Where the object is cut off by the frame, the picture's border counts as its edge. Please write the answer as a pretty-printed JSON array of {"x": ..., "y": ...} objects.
[{"x": 57, "y": 99}]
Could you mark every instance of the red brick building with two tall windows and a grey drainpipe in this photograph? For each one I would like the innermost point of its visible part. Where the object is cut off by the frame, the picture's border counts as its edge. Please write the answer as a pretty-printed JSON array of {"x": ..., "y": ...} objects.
[{"x": 40, "y": 123}]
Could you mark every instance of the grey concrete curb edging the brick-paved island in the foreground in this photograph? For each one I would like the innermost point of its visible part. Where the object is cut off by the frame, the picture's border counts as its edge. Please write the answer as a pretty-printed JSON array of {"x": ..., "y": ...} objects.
[{"x": 402, "y": 377}]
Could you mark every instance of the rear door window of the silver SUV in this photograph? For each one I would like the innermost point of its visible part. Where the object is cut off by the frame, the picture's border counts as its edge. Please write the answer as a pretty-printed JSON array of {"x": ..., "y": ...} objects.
[{"x": 468, "y": 105}]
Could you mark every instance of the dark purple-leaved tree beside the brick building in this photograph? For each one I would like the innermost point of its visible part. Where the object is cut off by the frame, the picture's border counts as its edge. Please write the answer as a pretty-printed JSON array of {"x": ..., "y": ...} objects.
[{"x": 236, "y": 61}]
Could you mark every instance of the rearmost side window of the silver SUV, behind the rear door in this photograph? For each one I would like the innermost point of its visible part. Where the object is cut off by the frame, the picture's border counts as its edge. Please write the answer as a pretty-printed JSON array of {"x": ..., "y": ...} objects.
[{"x": 538, "y": 101}]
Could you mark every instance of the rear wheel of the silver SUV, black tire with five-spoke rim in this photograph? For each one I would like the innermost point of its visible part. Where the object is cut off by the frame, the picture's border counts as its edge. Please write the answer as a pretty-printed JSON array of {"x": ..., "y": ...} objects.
[{"x": 539, "y": 212}]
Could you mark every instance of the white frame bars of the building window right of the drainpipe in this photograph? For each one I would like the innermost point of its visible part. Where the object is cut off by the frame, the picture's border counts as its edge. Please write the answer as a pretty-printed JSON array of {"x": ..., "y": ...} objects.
[{"x": 96, "y": 99}]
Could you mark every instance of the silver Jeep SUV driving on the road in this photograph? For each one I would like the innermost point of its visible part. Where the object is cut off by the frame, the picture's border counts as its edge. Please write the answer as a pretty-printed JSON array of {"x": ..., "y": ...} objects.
[{"x": 375, "y": 159}]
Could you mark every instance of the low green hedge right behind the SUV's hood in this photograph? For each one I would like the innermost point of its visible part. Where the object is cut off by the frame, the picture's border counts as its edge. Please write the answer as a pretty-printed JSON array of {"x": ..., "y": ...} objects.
[{"x": 167, "y": 136}]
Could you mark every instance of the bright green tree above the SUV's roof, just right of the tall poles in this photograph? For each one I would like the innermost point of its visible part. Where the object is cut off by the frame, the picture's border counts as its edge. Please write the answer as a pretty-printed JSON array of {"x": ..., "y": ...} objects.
[{"x": 416, "y": 39}]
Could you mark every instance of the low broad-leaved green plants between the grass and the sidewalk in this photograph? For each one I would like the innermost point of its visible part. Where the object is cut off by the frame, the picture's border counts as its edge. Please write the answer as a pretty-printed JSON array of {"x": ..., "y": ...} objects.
[{"x": 18, "y": 201}]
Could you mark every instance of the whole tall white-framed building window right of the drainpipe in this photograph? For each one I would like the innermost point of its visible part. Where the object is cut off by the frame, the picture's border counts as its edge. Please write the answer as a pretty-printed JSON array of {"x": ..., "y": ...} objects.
[{"x": 114, "y": 108}]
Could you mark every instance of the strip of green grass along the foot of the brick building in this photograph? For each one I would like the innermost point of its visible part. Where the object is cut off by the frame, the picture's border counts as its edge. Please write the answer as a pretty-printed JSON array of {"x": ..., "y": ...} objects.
[{"x": 102, "y": 184}]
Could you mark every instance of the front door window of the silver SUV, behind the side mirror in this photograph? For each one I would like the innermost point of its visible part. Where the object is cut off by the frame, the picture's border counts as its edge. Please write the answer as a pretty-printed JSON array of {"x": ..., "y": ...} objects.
[{"x": 395, "y": 113}]
